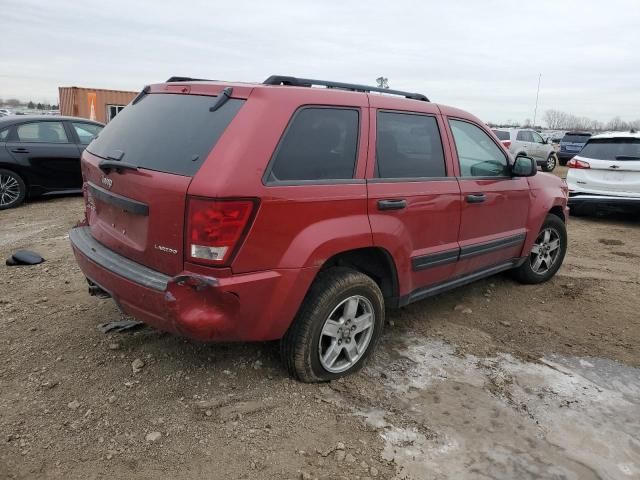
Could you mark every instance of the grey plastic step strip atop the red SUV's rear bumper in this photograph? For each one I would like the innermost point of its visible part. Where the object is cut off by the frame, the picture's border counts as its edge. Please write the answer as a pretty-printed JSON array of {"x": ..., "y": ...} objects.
[{"x": 82, "y": 240}]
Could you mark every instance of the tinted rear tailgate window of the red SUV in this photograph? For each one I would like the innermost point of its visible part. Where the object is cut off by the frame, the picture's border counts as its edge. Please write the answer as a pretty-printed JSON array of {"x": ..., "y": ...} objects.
[{"x": 166, "y": 132}]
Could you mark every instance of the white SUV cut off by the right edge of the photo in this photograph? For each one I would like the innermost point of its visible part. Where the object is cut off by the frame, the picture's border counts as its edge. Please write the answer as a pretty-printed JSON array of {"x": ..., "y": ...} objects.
[{"x": 606, "y": 173}]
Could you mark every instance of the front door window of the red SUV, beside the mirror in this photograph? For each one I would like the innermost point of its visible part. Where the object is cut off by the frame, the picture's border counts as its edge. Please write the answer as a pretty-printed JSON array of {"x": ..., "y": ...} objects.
[{"x": 477, "y": 154}]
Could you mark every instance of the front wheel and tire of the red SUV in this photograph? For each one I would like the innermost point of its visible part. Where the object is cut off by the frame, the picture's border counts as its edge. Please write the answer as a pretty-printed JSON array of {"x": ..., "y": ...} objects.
[{"x": 547, "y": 253}]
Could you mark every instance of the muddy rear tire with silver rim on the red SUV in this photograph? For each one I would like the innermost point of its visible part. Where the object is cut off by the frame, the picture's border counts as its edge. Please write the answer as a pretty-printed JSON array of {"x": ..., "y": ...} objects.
[{"x": 337, "y": 327}]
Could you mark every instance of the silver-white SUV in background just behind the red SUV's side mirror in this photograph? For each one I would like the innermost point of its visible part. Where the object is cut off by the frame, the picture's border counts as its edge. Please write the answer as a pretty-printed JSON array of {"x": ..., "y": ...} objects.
[{"x": 529, "y": 143}]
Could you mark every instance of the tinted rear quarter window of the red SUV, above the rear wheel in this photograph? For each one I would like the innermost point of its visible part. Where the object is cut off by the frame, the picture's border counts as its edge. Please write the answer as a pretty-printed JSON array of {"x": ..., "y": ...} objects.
[{"x": 319, "y": 144}]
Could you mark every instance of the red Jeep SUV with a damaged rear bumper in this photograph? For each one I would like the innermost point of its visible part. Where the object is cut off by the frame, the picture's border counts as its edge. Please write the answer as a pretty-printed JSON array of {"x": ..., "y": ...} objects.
[{"x": 249, "y": 212}]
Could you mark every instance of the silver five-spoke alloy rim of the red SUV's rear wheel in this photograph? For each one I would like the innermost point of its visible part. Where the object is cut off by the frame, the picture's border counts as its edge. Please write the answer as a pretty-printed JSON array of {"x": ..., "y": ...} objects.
[{"x": 346, "y": 334}]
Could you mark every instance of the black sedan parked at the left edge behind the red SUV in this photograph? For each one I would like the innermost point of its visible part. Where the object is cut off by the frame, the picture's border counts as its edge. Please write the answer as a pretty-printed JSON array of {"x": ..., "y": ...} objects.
[{"x": 40, "y": 155}]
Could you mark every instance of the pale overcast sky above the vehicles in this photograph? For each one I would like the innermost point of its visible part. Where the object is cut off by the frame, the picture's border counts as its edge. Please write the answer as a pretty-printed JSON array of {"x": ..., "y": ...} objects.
[{"x": 482, "y": 56}]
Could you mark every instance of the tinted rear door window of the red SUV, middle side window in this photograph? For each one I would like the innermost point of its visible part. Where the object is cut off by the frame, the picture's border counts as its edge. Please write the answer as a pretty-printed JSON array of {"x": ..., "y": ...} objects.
[{"x": 408, "y": 146}]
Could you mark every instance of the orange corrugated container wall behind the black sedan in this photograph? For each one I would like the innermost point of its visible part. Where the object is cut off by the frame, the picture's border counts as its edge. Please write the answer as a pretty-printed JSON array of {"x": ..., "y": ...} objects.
[{"x": 75, "y": 101}]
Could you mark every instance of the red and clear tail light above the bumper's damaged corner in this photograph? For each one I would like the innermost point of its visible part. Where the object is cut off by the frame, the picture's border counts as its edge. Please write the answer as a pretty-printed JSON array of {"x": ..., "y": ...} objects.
[{"x": 215, "y": 229}]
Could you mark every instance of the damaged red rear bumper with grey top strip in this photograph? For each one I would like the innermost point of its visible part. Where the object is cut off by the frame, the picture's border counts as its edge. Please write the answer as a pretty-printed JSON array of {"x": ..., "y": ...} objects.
[{"x": 249, "y": 307}]
